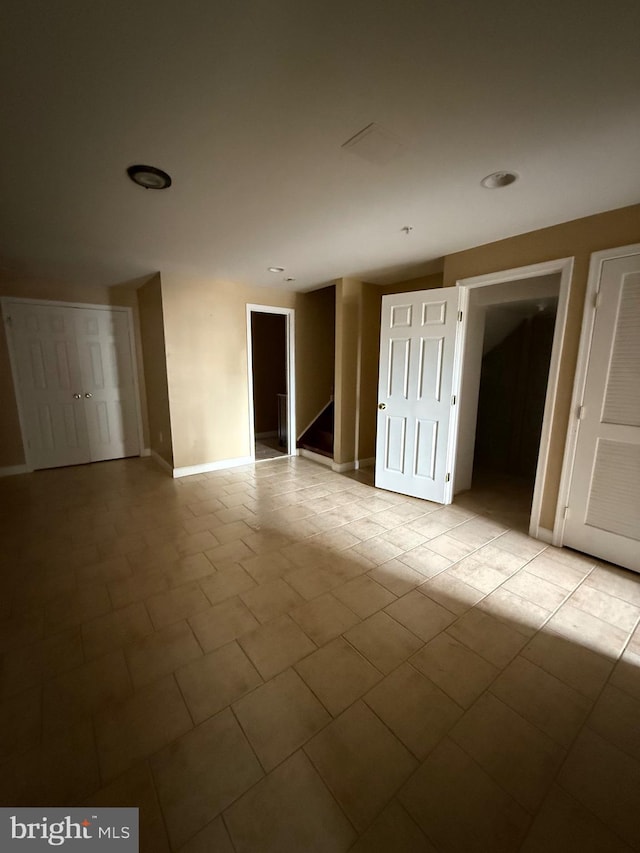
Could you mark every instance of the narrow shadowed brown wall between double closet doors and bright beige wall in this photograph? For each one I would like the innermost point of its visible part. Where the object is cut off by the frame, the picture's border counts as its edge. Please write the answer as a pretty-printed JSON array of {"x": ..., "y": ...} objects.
[{"x": 155, "y": 367}]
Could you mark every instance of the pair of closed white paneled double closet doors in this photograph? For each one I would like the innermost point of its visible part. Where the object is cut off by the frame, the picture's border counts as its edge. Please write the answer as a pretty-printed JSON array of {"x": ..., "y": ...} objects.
[{"x": 75, "y": 378}]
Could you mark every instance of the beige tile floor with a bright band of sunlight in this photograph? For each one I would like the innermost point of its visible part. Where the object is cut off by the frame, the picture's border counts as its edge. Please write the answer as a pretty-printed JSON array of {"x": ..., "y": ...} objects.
[{"x": 281, "y": 658}]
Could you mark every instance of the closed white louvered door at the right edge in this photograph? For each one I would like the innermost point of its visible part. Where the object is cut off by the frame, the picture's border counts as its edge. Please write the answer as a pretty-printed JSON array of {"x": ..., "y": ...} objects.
[{"x": 603, "y": 517}]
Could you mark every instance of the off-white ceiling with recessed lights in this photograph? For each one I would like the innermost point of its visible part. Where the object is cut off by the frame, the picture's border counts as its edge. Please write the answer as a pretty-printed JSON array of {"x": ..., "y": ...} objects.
[{"x": 247, "y": 104}]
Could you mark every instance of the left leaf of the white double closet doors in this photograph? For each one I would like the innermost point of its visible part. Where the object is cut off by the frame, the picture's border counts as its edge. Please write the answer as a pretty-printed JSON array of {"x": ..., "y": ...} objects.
[{"x": 50, "y": 389}]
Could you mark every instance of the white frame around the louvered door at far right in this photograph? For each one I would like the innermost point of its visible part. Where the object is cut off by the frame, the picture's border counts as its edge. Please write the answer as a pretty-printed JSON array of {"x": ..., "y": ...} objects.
[{"x": 584, "y": 351}]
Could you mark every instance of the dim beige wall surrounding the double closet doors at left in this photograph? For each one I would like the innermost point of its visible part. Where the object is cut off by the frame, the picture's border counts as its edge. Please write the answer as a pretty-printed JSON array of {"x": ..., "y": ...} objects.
[{"x": 11, "y": 448}]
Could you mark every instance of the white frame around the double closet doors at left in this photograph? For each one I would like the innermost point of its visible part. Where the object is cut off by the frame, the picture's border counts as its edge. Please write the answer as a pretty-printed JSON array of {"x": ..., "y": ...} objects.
[{"x": 6, "y": 302}]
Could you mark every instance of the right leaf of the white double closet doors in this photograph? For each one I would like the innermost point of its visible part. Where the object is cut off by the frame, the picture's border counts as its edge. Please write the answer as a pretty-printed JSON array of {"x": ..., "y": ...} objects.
[{"x": 108, "y": 388}]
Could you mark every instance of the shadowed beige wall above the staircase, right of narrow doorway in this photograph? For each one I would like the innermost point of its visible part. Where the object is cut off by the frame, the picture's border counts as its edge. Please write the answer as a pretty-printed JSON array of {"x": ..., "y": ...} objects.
[{"x": 315, "y": 353}]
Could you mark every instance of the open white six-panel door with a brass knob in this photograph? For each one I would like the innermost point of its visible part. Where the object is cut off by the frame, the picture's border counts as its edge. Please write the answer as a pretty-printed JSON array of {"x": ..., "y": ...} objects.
[{"x": 417, "y": 345}]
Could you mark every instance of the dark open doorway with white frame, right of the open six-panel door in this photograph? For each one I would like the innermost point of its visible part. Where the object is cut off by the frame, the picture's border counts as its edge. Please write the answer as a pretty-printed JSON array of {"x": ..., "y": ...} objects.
[{"x": 511, "y": 342}]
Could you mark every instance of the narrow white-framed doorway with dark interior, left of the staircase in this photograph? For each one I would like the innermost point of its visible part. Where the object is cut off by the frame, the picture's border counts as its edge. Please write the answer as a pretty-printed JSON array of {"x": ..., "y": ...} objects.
[{"x": 271, "y": 386}]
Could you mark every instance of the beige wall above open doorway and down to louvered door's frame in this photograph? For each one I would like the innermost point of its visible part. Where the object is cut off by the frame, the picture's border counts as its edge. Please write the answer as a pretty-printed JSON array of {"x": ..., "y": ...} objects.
[{"x": 577, "y": 239}]
